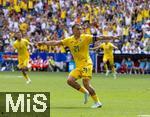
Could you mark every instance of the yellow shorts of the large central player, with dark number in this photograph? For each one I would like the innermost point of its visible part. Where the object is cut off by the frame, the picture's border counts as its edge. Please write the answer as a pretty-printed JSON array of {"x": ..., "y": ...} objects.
[{"x": 83, "y": 72}]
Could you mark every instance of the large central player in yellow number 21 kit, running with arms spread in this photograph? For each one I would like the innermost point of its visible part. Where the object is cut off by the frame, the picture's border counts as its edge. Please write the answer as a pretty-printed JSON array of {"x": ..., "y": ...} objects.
[{"x": 79, "y": 47}]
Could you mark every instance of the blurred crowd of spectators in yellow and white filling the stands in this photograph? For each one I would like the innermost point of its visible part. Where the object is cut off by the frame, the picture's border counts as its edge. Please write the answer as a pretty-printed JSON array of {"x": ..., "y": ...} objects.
[{"x": 52, "y": 20}]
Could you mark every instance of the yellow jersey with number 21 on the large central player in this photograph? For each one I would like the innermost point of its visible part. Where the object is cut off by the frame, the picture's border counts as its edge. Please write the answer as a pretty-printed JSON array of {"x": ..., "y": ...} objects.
[{"x": 79, "y": 49}]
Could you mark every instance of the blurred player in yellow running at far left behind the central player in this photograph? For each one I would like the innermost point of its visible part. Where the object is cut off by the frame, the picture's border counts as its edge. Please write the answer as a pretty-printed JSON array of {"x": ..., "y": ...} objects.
[{"x": 21, "y": 45}]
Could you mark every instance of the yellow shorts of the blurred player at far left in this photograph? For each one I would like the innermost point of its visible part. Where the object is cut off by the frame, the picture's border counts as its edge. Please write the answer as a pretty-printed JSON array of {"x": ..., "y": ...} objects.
[{"x": 23, "y": 63}]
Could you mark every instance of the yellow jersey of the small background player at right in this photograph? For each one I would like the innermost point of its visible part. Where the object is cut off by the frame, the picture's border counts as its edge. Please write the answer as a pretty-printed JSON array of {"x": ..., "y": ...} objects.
[{"x": 107, "y": 48}]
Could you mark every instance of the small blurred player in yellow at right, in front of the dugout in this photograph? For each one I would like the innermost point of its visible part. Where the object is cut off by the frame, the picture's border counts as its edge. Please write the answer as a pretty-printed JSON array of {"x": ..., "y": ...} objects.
[{"x": 108, "y": 56}]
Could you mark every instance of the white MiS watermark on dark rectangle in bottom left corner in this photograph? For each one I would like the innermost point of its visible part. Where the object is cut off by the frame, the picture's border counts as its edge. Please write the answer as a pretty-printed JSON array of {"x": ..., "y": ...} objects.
[{"x": 24, "y": 104}]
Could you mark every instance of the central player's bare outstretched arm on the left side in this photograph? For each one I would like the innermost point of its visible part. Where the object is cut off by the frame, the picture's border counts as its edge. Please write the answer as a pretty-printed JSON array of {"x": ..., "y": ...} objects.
[{"x": 50, "y": 43}]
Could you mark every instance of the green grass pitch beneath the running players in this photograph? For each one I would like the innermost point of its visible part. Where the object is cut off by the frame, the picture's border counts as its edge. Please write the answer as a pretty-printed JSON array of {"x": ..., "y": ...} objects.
[{"x": 127, "y": 96}]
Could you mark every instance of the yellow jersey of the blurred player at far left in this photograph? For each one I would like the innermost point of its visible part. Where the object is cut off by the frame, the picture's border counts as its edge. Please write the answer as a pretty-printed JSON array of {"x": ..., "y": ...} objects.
[{"x": 22, "y": 47}]
